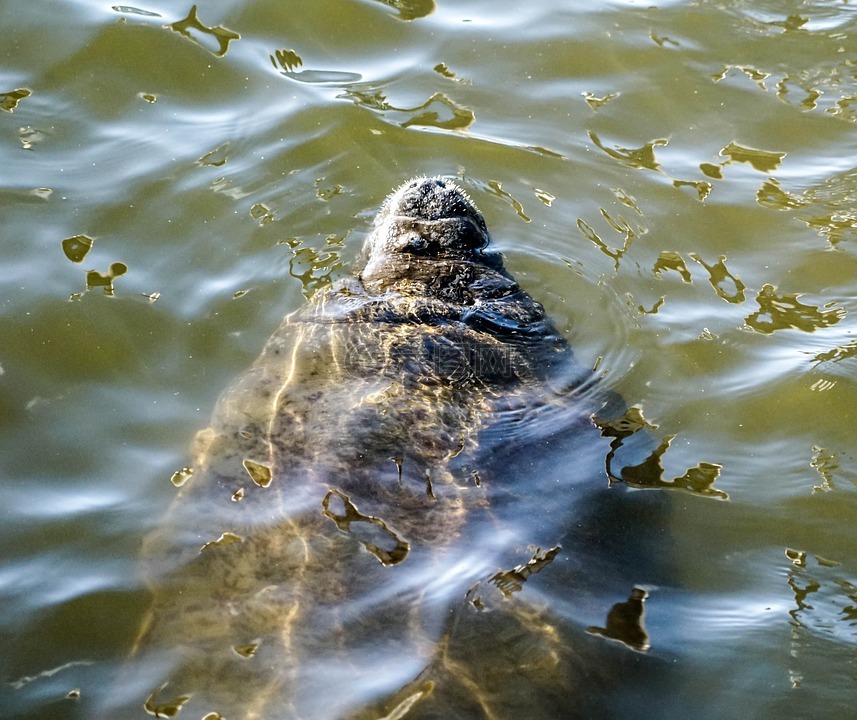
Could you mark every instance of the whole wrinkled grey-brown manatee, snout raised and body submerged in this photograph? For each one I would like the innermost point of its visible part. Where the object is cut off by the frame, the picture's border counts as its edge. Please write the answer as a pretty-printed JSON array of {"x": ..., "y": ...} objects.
[{"x": 409, "y": 433}]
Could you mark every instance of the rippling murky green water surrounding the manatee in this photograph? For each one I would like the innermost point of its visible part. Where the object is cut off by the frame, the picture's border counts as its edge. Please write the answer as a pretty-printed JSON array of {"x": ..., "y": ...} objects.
[{"x": 675, "y": 181}]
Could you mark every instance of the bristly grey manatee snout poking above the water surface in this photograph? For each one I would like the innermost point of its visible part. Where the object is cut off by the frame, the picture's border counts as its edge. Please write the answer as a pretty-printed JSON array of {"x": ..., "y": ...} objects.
[{"x": 426, "y": 226}]
